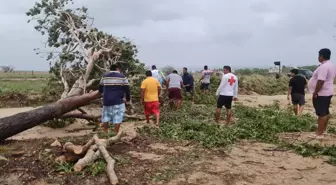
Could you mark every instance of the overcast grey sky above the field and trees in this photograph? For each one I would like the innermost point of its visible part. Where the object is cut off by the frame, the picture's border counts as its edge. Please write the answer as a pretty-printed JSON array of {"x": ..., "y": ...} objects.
[{"x": 191, "y": 33}]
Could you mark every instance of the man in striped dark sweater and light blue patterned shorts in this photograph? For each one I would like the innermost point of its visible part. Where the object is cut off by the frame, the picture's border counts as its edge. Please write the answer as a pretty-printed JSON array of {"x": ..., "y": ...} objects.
[{"x": 114, "y": 86}]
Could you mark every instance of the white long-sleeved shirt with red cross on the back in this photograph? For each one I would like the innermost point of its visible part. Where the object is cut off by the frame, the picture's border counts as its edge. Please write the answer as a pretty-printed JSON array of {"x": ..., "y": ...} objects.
[{"x": 228, "y": 85}]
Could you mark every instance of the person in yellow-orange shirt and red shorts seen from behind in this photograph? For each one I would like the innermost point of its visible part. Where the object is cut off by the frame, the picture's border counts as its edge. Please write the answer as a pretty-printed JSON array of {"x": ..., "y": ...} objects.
[{"x": 150, "y": 92}]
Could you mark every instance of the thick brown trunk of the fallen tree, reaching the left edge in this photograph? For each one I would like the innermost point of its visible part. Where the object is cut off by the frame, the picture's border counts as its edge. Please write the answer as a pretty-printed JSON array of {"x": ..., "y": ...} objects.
[{"x": 11, "y": 125}]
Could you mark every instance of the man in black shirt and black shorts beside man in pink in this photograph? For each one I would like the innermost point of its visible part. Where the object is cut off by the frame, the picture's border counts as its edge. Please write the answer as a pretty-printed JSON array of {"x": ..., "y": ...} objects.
[{"x": 296, "y": 91}]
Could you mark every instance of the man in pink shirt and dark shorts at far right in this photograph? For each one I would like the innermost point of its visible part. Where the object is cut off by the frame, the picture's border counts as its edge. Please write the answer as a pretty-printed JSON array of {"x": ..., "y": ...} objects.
[{"x": 321, "y": 85}]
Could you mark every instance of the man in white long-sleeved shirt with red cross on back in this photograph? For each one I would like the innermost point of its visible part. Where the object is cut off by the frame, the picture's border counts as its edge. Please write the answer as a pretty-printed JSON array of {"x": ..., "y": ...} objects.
[{"x": 226, "y": 92}]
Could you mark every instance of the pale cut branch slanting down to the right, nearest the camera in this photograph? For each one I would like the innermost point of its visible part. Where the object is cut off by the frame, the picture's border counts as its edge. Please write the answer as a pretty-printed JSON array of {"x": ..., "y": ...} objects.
[{"x": 109, "y": 160}]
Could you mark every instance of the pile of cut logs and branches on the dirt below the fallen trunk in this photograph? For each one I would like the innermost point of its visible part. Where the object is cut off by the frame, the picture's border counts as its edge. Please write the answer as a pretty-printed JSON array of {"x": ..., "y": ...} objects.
[{"x": 84, "y": 155}]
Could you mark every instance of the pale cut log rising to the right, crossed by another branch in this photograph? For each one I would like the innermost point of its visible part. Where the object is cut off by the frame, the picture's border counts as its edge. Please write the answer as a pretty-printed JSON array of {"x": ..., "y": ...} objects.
[{"x": 92, "y": 155}]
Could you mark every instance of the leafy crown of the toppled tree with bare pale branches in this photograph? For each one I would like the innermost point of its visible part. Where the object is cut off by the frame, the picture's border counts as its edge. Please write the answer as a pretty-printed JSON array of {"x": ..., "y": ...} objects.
[{"x": 79, "y": 54}]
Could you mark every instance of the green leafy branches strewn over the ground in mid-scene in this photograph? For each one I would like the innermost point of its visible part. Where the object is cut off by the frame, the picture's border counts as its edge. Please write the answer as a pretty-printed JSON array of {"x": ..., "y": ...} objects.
[{"x": 263, "y": 125}]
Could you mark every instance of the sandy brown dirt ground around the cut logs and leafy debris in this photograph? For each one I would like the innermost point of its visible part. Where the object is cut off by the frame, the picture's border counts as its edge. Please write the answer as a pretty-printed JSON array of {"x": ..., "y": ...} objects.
[{"x": 146, "y": 161}]
